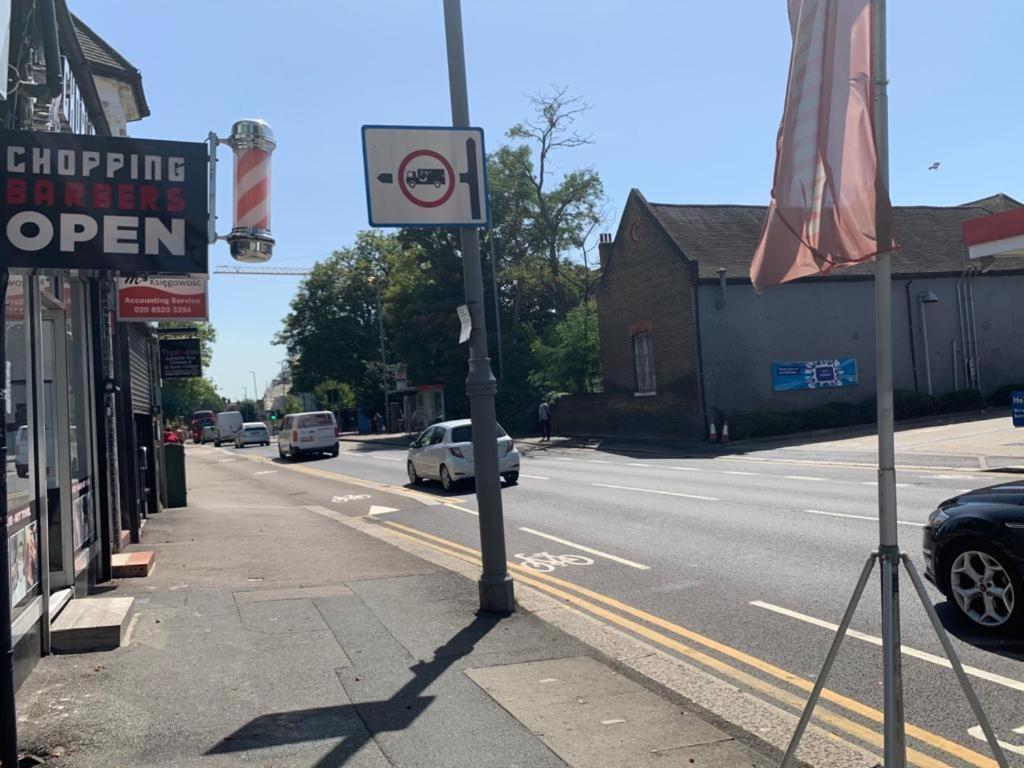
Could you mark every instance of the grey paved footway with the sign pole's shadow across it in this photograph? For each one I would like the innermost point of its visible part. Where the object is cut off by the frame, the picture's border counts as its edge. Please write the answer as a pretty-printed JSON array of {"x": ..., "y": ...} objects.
[{"x": 285, "y": 626}]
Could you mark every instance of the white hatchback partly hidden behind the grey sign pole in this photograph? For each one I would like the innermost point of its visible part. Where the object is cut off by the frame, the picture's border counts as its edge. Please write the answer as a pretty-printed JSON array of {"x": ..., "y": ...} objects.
[{"x": 445, "y": 452}]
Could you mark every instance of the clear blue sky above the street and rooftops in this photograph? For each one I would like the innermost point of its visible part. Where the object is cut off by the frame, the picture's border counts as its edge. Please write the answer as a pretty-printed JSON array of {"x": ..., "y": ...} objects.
[{"x": 687, "y": 99}]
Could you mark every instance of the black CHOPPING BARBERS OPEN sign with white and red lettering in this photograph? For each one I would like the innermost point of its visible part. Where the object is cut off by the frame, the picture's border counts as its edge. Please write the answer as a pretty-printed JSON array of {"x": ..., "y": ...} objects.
[{"x": 79, "y": 202}]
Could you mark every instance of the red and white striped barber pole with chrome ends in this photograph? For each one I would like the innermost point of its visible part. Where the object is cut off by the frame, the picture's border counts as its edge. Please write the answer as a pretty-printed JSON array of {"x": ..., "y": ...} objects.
[{"x": 250, "y": 240}]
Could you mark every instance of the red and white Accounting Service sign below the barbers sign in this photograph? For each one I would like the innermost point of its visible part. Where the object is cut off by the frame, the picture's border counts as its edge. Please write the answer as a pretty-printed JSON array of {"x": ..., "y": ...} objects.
[{"x": 161, "y": 298}]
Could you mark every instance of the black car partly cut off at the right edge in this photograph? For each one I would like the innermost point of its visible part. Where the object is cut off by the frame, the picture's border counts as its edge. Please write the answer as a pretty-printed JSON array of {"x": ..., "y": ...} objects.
[{"x": 974, "y": 553}]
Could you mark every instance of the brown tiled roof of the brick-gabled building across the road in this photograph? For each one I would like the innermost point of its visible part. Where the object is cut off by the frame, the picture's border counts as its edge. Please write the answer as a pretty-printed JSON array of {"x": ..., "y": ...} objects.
[{"x": 727, "y": 236}]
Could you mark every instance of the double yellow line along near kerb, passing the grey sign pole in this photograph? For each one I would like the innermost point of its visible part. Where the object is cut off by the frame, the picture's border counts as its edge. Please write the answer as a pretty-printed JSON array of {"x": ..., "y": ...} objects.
[{"x": 667, "y": 634}]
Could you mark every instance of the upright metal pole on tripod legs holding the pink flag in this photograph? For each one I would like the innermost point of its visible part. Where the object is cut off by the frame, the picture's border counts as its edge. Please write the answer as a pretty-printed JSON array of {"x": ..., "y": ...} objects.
[{"x": 889, "y": 556}]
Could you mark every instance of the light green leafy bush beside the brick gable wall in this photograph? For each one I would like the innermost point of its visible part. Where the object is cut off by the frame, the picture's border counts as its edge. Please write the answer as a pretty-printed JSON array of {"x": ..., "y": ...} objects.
[{"x": 570, "y": 361}]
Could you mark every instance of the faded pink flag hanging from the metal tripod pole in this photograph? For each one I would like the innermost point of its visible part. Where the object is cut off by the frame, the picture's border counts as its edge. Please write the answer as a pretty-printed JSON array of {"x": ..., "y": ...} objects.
[{"x": 826, "y": 197}]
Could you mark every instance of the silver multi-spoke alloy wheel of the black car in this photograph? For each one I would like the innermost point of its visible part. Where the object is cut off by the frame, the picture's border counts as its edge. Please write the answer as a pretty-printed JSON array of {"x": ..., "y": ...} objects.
[{"x": 985, "y": 586}]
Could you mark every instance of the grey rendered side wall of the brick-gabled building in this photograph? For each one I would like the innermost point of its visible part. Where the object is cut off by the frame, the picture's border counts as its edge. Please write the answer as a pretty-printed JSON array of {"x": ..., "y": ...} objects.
[{"x": 825, "y": 319}]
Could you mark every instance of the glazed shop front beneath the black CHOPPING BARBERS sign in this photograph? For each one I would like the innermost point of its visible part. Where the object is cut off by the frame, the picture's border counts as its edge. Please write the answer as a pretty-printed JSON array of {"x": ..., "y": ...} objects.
[{"x": 52, "y": 457}]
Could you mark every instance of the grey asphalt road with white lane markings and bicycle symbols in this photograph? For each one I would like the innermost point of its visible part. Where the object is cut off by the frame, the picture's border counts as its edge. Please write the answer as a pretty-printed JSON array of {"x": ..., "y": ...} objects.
[{"x": 747, "y": 562}]
